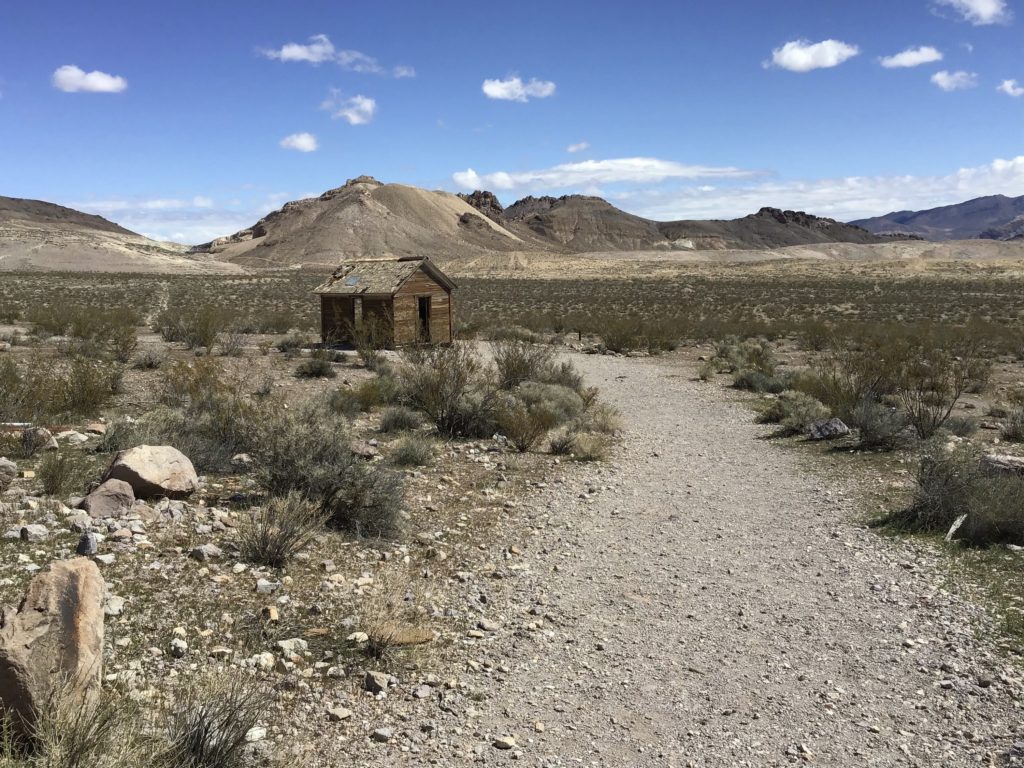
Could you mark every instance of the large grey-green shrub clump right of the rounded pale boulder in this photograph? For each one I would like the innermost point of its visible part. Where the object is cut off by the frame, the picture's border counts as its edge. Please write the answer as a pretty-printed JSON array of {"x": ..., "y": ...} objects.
[{"x": 309, "y": 451}]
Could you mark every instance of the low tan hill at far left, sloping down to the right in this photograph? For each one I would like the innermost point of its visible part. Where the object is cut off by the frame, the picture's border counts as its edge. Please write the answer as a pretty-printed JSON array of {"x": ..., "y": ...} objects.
[{"x": 39, "y": 236}]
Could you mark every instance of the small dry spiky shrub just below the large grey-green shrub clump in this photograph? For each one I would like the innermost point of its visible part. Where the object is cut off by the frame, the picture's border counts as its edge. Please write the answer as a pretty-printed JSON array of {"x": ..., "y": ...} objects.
[{"x": 279, "y": 530}]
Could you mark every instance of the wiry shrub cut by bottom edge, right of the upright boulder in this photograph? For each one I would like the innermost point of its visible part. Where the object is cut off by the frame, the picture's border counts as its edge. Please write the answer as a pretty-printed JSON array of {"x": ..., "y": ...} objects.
[{"x": 207, "y": 726}]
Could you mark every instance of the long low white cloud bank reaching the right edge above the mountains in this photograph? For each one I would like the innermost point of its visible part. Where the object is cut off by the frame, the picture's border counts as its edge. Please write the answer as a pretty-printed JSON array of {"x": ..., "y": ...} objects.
[{"x": 844, "y": 199}]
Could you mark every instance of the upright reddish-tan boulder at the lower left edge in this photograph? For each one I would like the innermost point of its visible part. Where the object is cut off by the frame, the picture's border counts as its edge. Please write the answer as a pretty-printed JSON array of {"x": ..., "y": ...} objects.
[{"x": 53, "y": 643}]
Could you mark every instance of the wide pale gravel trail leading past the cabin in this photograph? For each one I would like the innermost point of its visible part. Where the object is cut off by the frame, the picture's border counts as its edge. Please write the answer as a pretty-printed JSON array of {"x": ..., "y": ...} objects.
[{"x": 712, "y": 602}]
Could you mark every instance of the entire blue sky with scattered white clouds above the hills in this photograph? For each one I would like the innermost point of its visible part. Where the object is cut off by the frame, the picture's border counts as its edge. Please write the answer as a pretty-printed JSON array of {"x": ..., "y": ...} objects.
[{"x": 190, "y": 120}]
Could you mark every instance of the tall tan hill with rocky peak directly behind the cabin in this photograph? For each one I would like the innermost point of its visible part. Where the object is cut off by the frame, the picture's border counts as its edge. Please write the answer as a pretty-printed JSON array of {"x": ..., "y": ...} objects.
[{"x": 366, "y": 219}]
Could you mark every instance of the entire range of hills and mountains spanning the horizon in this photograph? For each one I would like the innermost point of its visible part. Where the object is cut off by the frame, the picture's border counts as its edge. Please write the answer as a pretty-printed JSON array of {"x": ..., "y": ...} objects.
[{"x": 367, "y": 219}]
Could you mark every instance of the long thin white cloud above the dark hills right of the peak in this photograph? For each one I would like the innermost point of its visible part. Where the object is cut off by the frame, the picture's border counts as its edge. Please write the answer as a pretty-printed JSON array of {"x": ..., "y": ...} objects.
[{"x": 591, "y": 173}]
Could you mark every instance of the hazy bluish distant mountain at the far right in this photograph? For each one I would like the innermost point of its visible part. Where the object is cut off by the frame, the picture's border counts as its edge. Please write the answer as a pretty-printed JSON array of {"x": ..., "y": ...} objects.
[{"x": 994, "y": 218}]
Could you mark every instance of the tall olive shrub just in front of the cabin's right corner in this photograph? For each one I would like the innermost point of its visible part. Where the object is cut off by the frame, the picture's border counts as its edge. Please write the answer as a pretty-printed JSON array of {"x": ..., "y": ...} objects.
[{"x": 451, "y": 387}]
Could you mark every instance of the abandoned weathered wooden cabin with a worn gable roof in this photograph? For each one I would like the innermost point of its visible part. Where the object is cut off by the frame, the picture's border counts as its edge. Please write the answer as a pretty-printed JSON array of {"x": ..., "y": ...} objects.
[{"x": 407, "y": 300}]
